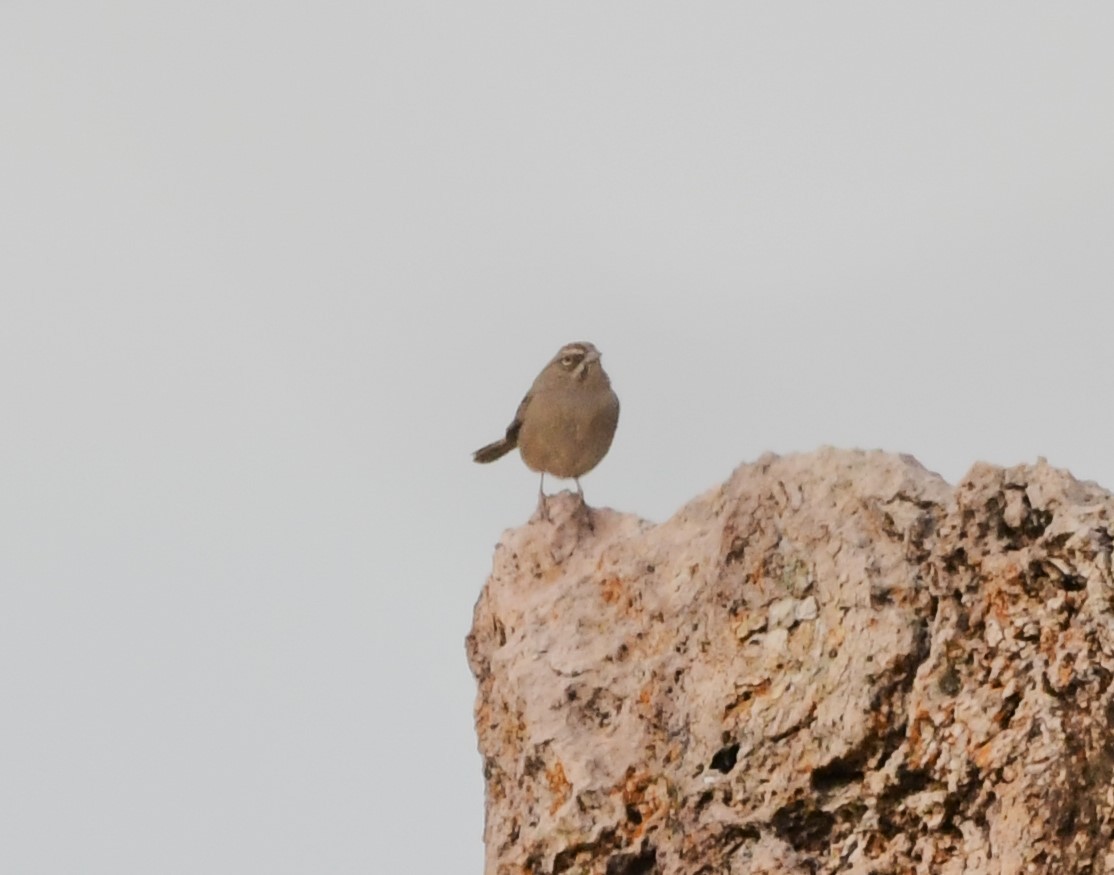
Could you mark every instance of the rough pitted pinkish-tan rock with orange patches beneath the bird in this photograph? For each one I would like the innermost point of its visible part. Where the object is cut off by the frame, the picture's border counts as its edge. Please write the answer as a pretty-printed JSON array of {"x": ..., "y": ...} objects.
[{"x": 834, "y": 663}]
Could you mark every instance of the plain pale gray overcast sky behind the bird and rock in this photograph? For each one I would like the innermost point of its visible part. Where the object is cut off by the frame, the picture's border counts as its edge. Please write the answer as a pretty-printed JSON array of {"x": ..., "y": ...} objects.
[{"x": 272, "y": 271}]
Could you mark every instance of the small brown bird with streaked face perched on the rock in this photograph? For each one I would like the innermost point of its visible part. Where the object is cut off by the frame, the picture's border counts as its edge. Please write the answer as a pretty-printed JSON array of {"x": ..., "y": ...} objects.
[{"x": 565, "y": 424}]
